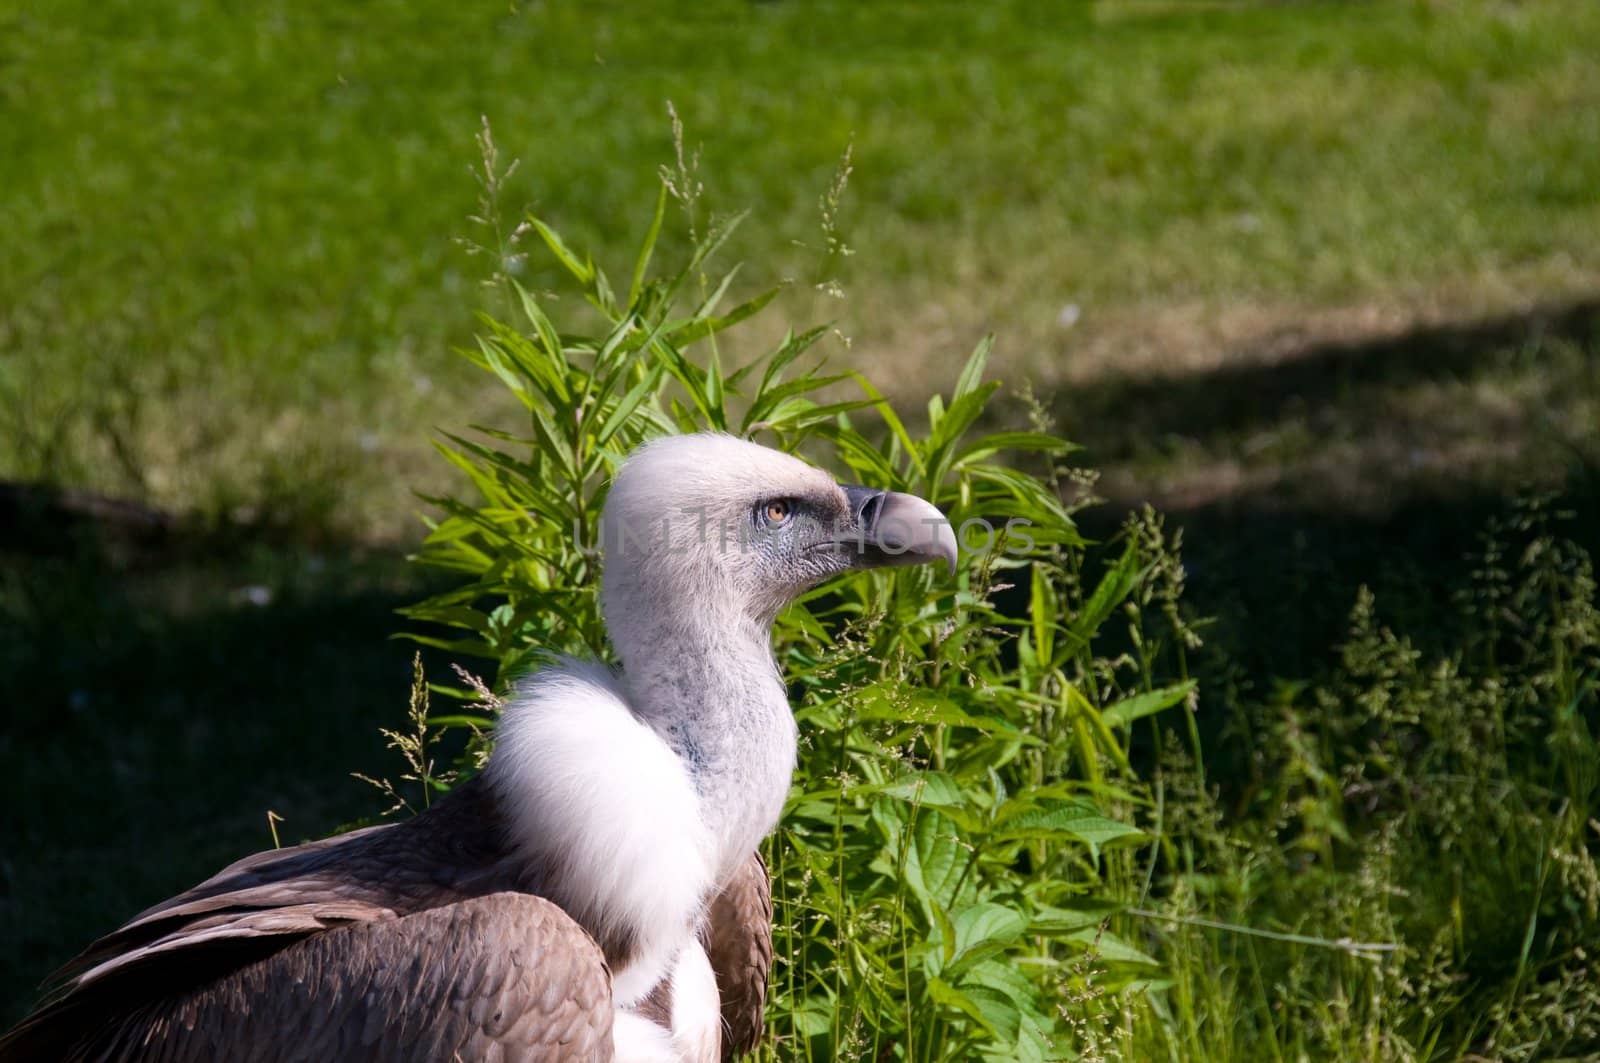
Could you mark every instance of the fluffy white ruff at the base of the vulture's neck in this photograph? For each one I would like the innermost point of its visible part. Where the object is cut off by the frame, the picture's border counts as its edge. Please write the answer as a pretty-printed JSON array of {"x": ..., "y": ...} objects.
[{"x": 591, "y": 787}]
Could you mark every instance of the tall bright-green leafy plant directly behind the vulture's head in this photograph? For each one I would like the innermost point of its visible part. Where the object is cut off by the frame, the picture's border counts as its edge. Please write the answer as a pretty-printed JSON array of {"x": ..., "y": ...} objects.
[{"x": 964, "y": 771}]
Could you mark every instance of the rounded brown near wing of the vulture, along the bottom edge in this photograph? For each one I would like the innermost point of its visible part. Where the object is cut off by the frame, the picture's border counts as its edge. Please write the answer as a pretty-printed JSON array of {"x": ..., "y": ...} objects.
[{"x": 505, "y": 977}]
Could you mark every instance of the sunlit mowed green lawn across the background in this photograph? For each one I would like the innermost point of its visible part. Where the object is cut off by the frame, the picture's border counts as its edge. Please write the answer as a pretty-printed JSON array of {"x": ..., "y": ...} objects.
[{"x": 231, "y": 275}]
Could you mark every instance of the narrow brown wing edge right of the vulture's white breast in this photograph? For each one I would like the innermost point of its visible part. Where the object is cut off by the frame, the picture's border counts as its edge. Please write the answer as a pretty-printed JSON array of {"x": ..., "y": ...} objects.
[{"x": 738, "y": 941}]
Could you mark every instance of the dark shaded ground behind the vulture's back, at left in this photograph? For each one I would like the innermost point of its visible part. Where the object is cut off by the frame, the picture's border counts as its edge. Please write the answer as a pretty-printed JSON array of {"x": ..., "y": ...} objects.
[{"x": 161, "y": 702}]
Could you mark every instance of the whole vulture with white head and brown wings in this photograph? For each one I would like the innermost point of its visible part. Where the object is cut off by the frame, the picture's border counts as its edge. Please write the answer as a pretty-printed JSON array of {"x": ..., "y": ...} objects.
[{"x": 594, "y": 894}]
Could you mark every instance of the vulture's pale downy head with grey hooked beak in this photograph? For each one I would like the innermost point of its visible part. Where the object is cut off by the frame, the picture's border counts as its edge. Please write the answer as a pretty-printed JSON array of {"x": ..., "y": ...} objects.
[{"x": 742, "y": 531}]
